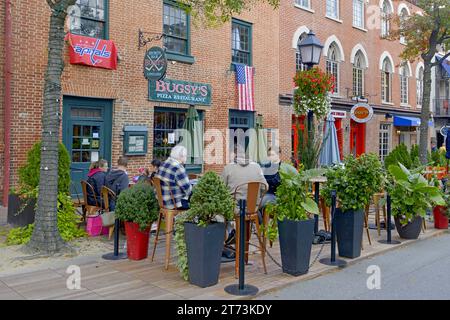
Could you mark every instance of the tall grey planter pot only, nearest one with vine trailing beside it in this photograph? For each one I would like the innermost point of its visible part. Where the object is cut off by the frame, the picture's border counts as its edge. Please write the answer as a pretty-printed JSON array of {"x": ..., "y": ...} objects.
[{"x": 204, "y": 247}]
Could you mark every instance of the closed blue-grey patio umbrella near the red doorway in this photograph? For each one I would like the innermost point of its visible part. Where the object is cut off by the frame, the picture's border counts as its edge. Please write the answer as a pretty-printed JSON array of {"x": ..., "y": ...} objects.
[{"x": 329, "y": 154}]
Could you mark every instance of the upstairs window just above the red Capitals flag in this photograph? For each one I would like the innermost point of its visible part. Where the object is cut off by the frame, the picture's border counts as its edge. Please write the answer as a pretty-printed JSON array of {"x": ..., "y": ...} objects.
[{"x": 88, "y": 18}]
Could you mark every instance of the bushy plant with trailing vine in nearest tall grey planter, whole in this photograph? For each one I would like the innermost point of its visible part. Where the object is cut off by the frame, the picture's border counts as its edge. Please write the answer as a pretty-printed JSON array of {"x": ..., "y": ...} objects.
[{"x": 200, "y": 231}]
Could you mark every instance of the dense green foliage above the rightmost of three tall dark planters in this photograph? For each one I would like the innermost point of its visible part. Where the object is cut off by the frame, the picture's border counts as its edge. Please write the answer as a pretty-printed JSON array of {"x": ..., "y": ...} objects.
[{"x": 355, "y": 182}]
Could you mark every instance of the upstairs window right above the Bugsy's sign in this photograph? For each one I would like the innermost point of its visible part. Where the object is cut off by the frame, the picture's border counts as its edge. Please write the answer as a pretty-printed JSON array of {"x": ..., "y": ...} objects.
[{"x": 175, "y": 29}]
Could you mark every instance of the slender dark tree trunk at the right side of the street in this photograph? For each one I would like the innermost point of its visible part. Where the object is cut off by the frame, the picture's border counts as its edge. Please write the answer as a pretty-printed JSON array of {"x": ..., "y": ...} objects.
[{"x": 425, "y": 114}]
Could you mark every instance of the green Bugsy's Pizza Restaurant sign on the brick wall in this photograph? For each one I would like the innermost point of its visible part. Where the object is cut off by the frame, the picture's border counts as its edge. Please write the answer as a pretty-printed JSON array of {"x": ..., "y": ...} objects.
[{"x": 176, "y": 91}]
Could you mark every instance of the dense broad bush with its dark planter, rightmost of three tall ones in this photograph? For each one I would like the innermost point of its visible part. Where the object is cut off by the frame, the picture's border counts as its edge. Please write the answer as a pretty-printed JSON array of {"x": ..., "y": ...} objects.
[{"x": 355, "y": 183}]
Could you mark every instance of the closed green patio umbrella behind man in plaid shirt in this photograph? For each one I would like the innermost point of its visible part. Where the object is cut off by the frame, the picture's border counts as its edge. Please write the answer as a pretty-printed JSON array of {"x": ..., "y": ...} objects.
[{"x": 194, "y": 140}]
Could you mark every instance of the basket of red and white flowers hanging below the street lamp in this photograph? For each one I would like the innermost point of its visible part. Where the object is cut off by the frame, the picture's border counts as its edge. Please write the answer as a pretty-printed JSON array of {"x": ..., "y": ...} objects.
[{"x": 312, "y": 93}]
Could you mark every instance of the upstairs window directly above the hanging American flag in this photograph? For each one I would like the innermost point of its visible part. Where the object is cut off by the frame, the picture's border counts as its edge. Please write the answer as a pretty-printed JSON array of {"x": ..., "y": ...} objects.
[{"x": 241, "y": 42}]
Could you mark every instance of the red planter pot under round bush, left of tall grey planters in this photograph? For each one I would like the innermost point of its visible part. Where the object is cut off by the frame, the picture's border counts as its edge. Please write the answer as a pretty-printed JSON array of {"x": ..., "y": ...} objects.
[{"x": 137, "y": 241}]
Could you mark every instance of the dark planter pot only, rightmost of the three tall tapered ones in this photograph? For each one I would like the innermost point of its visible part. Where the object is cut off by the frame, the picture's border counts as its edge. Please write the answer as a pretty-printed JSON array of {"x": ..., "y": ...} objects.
[{"x": 349, "y": 231}]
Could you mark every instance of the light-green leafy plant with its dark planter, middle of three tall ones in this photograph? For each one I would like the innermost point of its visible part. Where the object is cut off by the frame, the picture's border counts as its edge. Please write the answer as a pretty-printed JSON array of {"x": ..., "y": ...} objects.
[{"x": 294, "y": 211}]
